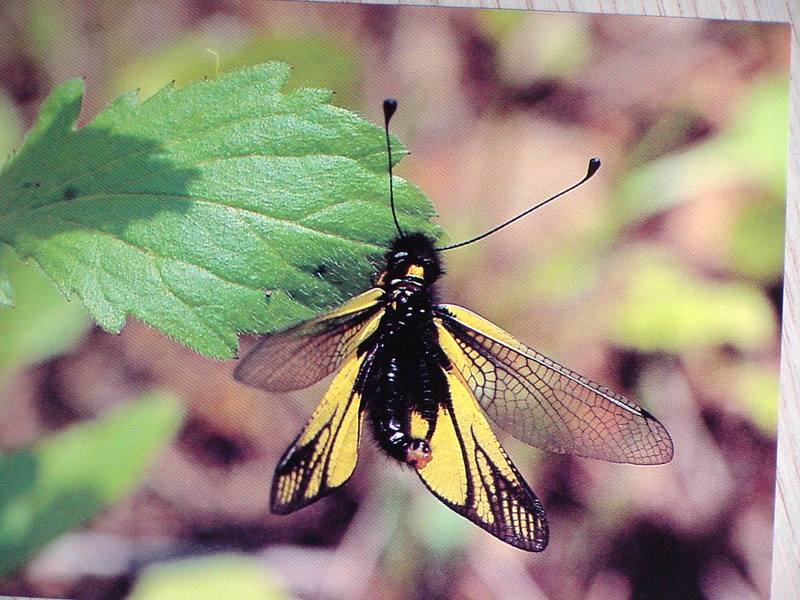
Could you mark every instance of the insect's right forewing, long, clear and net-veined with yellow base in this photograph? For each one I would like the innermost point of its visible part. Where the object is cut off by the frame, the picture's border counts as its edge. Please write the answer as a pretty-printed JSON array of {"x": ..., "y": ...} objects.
[{"x": 545, "y": 404}]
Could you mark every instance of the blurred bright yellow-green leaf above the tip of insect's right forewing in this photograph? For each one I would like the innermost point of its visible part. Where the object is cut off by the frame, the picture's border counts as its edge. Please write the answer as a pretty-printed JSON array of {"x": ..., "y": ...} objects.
[{"x": 667, "y": 309}]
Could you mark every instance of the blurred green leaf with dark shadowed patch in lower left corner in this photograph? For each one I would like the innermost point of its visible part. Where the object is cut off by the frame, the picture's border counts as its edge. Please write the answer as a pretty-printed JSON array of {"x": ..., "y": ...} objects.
[{"x": 67, "y": 478}]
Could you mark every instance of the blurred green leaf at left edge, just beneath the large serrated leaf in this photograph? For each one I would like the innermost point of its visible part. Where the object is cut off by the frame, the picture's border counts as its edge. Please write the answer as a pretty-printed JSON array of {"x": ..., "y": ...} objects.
[{"x": 42, "y": 323}]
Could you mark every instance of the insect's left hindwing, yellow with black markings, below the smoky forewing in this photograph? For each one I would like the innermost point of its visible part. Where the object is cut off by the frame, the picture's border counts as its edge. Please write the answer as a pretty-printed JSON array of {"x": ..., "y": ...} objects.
[{"x": 324, "y": 455}]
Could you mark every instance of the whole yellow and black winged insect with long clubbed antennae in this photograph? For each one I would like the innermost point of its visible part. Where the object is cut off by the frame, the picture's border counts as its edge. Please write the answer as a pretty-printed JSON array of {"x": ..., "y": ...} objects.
[{"x": 421, "y": 374}]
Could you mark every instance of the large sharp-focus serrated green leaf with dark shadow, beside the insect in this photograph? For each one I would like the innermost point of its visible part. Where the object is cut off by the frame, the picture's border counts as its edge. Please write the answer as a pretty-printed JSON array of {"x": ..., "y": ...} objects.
[{"x": 222, "y": 207}]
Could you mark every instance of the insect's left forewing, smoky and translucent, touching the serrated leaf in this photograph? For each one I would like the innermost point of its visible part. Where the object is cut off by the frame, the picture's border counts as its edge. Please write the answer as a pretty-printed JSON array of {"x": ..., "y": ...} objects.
[{"x": 304, "y": 354}]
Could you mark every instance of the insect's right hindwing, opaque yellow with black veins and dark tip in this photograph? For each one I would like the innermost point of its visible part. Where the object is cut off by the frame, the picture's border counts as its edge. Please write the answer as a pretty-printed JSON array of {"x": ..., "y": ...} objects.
[{"x": 471, "y": 473}]
